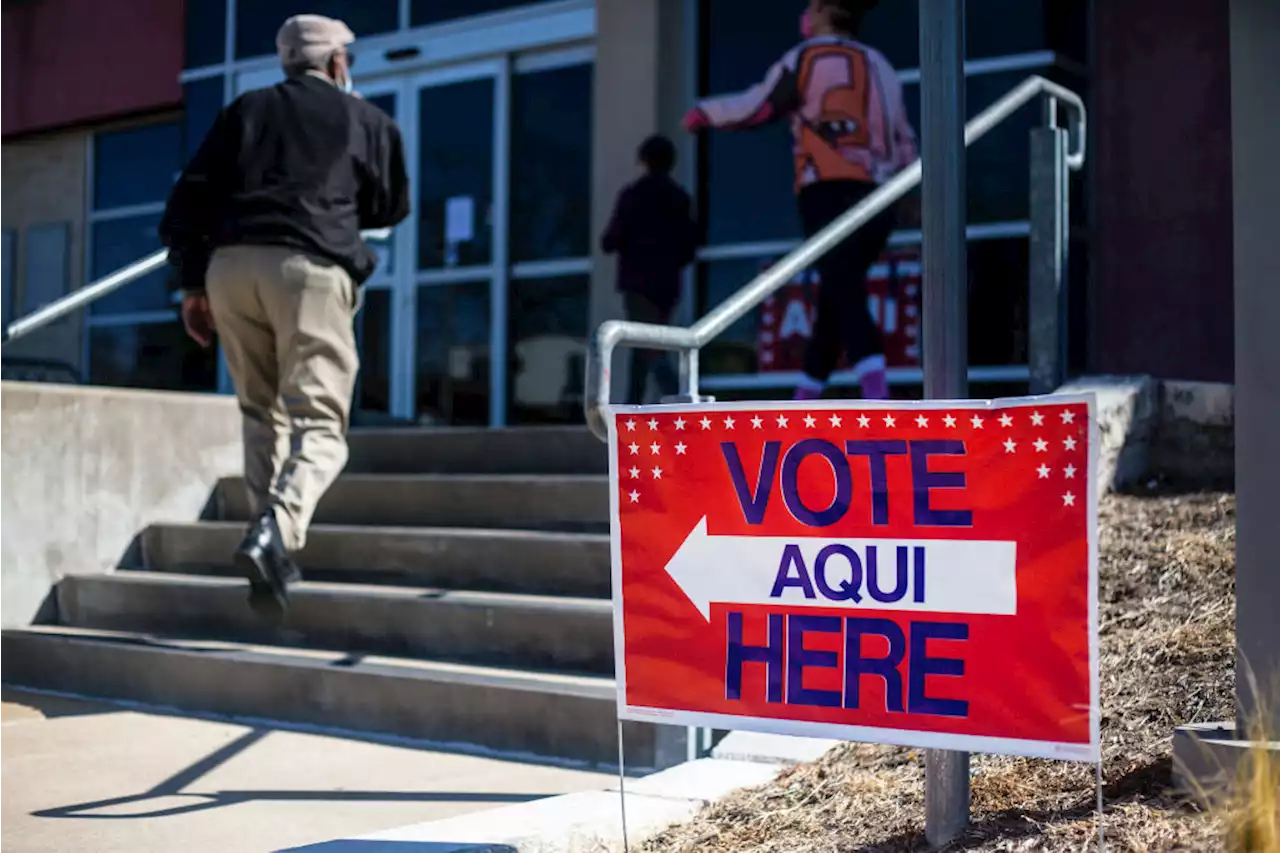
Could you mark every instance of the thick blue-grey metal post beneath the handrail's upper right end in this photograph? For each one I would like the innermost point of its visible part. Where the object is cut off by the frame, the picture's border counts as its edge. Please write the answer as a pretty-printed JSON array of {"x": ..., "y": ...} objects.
[{"x": 1049, "y": 253}]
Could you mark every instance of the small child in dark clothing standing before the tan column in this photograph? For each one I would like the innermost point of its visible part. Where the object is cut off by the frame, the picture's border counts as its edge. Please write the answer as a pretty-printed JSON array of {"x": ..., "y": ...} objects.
[{"x": 655, "y": 236}]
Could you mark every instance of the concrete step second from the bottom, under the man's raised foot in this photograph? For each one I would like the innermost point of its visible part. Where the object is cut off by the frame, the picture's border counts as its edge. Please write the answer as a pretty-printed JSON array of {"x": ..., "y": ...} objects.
[{"x": 490, "y": 630}]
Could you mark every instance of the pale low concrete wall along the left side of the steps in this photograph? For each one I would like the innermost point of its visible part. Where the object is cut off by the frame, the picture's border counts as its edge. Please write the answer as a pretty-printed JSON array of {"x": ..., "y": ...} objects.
[{"x": 84, "y": 471}]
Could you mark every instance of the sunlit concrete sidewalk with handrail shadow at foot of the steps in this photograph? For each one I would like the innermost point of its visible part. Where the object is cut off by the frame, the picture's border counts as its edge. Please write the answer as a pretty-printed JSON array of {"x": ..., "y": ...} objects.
[{"x": 89, "y": 777}]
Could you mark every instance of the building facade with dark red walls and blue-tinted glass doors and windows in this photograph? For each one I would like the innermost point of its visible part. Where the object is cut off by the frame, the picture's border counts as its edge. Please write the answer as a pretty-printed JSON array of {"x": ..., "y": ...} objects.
[{"x": 522, "y": 122}]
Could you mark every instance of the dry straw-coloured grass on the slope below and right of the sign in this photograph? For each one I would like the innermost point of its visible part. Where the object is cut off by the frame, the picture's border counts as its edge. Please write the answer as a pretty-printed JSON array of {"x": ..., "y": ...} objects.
[{"x": 1167, "y": 658}]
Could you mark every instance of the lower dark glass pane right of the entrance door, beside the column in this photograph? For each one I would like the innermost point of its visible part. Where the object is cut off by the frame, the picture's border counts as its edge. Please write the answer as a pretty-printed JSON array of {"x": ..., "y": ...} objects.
[{"x": 548, "y": 340}]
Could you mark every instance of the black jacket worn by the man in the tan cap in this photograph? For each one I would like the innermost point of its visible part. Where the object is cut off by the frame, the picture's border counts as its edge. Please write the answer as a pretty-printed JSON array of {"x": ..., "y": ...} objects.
[{"x": 298, "y": 165}]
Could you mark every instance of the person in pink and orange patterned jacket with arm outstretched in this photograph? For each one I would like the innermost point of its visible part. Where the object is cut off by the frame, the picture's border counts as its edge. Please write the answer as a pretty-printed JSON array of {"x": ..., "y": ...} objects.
[{"x": 852, "y": 134}]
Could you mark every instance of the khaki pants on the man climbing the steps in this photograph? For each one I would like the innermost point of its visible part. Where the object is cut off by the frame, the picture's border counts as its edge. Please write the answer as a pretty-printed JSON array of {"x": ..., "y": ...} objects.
[{"x": 286, "y": 323}]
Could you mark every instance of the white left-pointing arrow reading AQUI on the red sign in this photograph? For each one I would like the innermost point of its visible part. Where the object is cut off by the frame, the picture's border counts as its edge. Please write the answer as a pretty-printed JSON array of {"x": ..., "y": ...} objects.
[{"x": 959, "y": 576}]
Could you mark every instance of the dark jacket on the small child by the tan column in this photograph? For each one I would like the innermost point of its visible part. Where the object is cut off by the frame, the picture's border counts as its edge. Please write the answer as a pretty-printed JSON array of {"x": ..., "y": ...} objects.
[{"x": 655, "y": 236}]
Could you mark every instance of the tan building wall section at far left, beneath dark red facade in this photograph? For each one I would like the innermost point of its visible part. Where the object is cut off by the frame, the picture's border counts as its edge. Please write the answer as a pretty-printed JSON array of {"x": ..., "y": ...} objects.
[{"x": 44, "y": 184}]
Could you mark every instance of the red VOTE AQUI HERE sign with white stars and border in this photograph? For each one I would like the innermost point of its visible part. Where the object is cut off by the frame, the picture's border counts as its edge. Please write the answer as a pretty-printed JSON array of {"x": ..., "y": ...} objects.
[{"x": 917, "y": 574}]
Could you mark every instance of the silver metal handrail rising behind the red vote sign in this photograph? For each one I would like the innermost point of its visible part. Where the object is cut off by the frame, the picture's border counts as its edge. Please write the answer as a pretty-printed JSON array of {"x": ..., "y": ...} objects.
[{"x": 689, "y": 341}]
